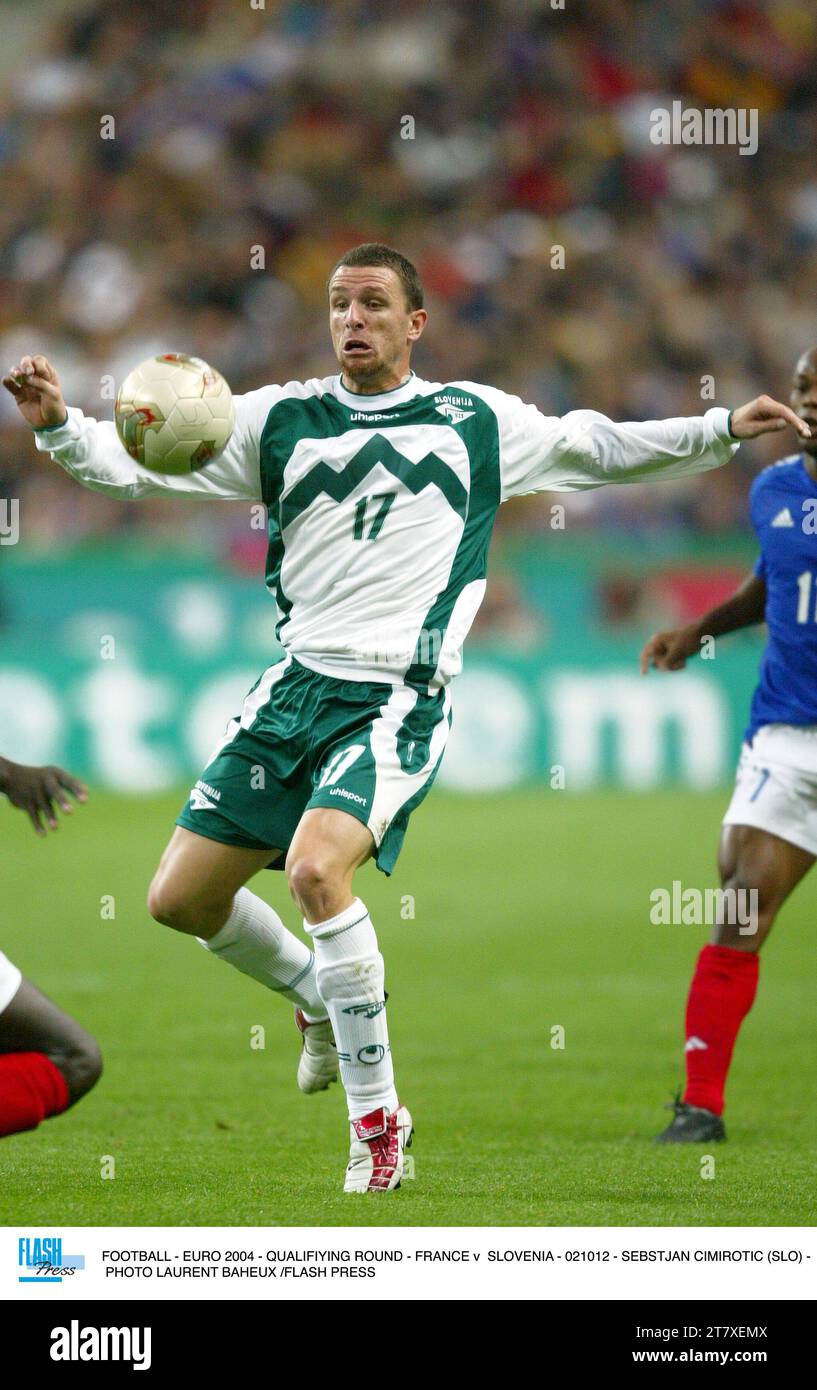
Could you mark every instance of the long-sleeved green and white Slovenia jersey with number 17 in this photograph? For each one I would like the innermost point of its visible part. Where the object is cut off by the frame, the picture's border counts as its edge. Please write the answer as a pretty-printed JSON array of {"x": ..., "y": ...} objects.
[{"x": 381, "y": 508}]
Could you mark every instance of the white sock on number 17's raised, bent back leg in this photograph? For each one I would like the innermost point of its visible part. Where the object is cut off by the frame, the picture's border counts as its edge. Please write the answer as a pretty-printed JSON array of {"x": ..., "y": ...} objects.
[{"x": 255, "y": 942}]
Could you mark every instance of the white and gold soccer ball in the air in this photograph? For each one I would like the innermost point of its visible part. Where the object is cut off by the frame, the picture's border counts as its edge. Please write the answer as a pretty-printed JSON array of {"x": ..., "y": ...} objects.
[{"x": 174, "y": 414}]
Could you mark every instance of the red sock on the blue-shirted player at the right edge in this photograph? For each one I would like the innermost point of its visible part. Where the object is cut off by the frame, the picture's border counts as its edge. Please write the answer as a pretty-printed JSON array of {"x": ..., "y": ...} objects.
[{"x": 722, "y": 993}]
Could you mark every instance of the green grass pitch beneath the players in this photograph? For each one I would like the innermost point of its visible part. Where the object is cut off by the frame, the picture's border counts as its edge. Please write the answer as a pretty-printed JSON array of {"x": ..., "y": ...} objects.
[{"x": 531, "y": 911}]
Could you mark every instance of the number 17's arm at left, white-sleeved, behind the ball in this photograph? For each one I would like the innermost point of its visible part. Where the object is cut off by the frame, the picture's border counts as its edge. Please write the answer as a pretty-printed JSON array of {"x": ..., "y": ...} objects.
[{"x": 91, "y": 450}]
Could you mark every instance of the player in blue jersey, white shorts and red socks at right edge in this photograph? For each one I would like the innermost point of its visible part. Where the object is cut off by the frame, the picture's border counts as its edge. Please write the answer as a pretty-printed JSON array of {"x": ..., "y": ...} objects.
[{"x": 769, "y": 837}]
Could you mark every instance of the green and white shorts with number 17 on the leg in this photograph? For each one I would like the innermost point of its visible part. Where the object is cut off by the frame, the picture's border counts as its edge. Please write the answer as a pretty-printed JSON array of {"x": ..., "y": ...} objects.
[{"x": 305, "y": 740}]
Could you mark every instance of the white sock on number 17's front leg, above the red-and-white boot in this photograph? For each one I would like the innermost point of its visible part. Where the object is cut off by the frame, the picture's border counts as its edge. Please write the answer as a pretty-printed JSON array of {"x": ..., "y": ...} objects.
[{"x": 352, "y": 985}]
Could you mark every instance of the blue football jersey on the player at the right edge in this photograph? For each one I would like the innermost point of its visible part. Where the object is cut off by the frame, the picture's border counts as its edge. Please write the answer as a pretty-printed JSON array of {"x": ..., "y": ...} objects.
[{"x": 784, "y": 515}]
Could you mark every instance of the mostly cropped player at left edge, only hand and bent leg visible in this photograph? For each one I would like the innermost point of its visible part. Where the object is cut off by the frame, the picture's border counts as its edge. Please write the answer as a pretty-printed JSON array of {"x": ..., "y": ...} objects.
[{"x": 48, "y": 1061}]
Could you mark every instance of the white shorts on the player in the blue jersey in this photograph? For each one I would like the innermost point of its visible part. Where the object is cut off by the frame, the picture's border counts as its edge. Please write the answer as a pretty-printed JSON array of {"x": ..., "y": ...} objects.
[{"x": 776, "y": 787}]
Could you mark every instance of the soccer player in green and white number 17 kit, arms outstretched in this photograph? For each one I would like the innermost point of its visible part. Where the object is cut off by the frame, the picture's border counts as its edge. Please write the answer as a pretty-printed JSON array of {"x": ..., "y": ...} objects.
[{"x": 383, "y": 490}]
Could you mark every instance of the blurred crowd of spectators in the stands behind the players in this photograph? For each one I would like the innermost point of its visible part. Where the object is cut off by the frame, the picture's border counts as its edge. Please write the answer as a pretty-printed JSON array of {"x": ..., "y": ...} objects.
[{"x": 476, "y": 138}]
